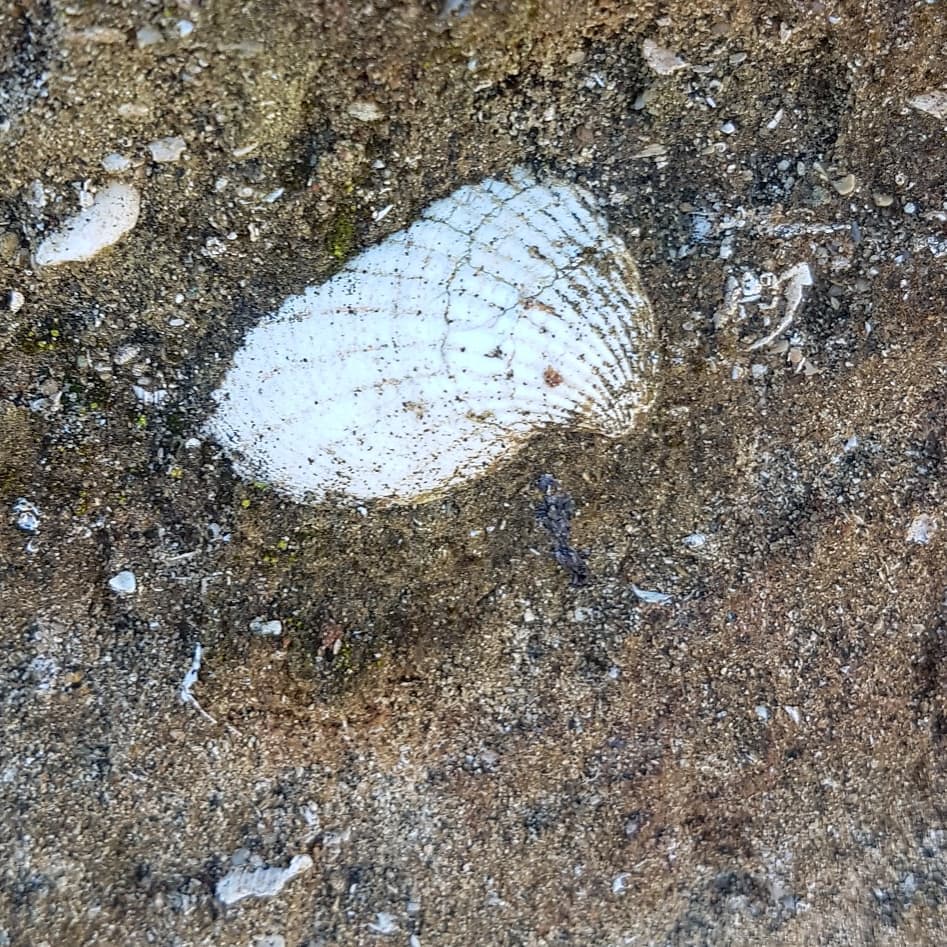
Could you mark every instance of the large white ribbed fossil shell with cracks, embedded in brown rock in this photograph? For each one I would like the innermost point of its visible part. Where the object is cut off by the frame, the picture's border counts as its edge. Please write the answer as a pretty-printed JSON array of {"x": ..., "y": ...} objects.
[{"x": 505, "y": 307}]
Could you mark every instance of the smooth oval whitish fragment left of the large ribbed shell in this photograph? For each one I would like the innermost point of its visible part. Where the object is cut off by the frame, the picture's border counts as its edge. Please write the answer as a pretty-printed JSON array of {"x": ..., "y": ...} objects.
[{"x": 113, "y": 214}]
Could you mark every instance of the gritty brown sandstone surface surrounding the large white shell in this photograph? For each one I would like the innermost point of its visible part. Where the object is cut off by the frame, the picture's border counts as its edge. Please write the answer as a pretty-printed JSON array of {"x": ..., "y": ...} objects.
[{"x": 731, "y": 730}]
